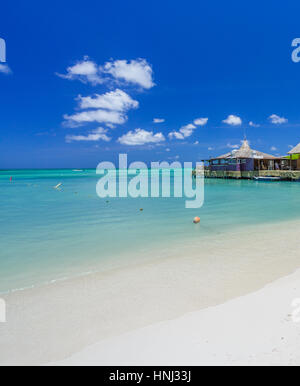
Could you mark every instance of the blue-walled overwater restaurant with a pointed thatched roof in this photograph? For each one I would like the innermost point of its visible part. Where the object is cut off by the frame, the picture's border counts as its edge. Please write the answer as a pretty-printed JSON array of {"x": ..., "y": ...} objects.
[{"x": 246, "y": 159}]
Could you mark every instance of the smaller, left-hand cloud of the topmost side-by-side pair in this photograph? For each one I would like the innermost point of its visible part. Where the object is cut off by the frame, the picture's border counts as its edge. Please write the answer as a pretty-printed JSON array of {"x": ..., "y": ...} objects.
[{"x": 85, "y": 70}]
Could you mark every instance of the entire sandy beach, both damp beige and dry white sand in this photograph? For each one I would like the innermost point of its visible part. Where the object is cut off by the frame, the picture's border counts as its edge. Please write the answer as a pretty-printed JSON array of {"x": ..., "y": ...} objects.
[{"x": 210, "y": 304}]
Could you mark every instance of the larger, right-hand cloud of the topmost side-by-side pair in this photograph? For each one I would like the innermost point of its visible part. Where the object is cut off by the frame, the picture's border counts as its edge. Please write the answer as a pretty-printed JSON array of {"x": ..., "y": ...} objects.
[{"x": 136, "y": 71}]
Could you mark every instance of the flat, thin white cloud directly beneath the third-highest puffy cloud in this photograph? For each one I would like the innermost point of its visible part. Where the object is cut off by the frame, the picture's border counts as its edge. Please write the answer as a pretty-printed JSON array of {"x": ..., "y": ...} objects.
[{"x": 99, "y": 116}]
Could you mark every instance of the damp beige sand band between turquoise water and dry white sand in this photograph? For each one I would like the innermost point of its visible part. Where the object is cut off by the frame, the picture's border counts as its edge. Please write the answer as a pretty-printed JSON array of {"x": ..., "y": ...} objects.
[{"x": 51, "y": 323}]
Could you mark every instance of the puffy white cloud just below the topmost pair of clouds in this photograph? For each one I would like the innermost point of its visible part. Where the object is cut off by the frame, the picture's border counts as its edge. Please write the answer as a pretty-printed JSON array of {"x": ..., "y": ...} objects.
[{"x": 117, "y": 100}]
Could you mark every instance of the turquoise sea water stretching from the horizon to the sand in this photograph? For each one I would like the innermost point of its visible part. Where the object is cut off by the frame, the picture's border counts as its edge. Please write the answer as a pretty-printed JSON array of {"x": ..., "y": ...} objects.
[{"x": 48, "y": 234}]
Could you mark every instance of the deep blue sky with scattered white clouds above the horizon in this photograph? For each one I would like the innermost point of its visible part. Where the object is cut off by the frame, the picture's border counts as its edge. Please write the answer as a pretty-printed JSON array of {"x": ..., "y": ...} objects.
[{"x": 87, "y": 79}]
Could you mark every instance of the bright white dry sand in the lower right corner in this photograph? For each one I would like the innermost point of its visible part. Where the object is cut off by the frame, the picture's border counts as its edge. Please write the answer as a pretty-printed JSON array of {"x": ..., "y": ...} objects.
[{"x": 262, "y": 328}]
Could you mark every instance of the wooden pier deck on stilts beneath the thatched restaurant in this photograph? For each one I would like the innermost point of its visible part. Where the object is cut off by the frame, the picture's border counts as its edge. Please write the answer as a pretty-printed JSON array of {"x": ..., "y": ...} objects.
[{"x": 285, "y": 175}]
